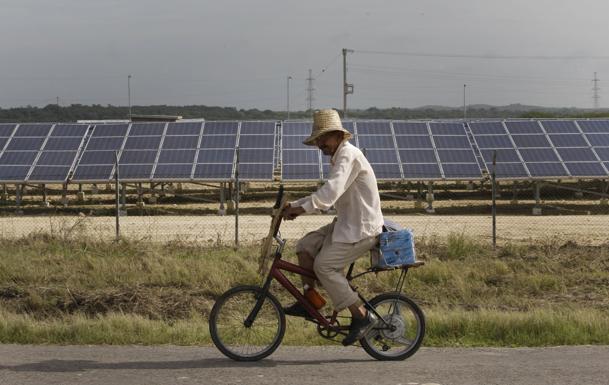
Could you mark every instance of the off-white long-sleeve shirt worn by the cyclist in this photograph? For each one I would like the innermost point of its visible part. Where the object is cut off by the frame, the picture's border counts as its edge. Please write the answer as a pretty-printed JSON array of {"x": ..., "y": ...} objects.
[{"x": 351, "y": 188}]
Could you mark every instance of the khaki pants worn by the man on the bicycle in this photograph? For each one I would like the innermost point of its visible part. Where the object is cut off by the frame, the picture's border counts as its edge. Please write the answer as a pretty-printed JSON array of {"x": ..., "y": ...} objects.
[{"x": 331, "y": 258}]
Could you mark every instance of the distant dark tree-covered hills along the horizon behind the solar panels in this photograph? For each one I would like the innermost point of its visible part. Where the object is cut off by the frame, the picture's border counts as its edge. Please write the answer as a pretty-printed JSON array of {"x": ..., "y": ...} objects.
[{"x": 54, "y": 113}]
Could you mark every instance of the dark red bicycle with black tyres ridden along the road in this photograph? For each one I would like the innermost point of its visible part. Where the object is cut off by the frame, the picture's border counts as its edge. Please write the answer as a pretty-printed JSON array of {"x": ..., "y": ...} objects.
[{"x": 247, "y": 323}]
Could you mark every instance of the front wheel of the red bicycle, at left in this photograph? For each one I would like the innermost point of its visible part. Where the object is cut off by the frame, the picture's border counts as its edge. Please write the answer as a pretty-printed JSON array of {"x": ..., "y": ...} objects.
[{"x": 231, "y": 333}]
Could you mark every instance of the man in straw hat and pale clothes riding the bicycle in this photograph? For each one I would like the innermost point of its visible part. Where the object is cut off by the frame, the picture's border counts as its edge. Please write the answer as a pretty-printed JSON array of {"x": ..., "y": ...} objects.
[{"x": 352, "y": 189}]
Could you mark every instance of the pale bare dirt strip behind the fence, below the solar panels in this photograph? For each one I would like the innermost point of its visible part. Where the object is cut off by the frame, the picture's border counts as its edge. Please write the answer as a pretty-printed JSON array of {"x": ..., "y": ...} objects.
[{"x": 582, "y": 229}]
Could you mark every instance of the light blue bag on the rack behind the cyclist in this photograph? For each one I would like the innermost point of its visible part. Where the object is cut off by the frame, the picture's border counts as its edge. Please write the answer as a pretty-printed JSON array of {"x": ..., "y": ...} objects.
[{"x": 396, "y": 246}]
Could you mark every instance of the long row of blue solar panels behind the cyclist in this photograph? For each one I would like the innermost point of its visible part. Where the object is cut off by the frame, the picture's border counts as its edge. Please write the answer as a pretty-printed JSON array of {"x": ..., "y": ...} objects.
[{"x": 207, "y": 151}]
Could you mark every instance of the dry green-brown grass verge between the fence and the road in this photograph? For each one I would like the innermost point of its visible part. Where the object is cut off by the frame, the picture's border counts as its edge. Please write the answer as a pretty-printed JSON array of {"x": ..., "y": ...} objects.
[{"x": 80, "y": 291}]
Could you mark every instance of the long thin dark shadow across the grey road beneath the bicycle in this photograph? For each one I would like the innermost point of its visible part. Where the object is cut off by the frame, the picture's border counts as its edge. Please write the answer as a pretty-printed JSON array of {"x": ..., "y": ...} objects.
[{"x": 83, "y": 365}]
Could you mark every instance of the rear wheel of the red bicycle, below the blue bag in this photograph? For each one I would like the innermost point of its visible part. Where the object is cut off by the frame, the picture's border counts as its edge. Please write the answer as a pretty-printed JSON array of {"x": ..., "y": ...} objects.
[{"x": 404, "y": 335}]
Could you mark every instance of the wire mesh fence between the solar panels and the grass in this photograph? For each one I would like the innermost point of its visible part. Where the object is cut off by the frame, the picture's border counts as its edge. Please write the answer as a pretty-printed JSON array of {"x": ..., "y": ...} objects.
[{"x": 221, "y": 214}]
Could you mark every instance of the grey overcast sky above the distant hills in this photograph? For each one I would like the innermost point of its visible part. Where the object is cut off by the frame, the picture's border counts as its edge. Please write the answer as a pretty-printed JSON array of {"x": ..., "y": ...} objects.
[{"x": 239, "y": 53}]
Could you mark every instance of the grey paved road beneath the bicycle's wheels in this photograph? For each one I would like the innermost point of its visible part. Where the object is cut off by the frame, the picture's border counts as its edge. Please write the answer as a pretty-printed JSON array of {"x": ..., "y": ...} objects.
[{"x": 121, "y": 365}]
